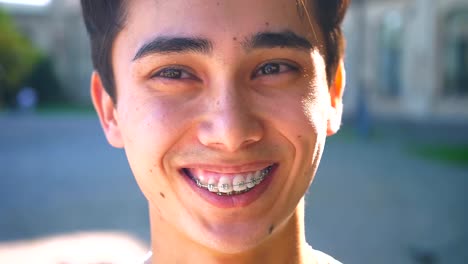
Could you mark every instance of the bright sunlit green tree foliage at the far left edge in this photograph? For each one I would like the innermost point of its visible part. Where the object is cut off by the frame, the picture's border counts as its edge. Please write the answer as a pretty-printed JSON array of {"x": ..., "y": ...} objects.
[{"x": 18, "y": 58}]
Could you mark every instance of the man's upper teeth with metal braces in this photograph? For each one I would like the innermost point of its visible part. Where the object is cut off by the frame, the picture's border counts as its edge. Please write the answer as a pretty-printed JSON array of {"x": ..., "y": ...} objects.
[{"x": 233, "y": 185}]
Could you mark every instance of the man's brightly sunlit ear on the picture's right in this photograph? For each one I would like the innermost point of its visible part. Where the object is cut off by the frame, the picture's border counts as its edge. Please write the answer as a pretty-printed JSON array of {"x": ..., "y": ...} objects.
[{"x": 336, "y": 100}]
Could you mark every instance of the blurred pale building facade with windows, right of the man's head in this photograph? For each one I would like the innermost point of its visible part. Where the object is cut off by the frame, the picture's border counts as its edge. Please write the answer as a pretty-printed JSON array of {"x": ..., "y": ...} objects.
[{"x": 408, "y": 58}]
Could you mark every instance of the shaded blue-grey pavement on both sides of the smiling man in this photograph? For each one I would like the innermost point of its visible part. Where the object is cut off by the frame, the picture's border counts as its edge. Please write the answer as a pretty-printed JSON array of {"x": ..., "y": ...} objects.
[{"x": 371, "y": 202}]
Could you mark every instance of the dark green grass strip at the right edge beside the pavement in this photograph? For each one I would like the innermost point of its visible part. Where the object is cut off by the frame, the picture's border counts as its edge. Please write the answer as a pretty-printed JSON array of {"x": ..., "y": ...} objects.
[{"x": 455, "y": 154}]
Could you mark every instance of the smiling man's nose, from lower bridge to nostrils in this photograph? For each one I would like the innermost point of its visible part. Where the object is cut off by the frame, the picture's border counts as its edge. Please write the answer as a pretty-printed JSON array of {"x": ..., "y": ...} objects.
[{"x": 231, "y": 123}]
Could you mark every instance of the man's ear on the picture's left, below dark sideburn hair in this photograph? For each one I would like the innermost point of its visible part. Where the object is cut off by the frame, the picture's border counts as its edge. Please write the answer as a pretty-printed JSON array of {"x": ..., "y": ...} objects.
[{"x": 106, "y": 111}]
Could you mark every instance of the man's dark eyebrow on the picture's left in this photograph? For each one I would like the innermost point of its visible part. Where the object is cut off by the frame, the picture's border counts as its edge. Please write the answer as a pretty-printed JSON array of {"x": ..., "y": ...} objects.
[{"x": 165, "y": 45}]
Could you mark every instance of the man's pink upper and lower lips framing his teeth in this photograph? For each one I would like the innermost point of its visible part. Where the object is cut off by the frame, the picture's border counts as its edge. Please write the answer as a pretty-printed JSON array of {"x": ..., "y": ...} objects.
[{"x": 234, "y": 201}]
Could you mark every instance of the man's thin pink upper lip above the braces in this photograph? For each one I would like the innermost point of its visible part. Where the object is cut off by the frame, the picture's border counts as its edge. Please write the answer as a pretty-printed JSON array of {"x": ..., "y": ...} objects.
[{"x": 230, "y": 168}]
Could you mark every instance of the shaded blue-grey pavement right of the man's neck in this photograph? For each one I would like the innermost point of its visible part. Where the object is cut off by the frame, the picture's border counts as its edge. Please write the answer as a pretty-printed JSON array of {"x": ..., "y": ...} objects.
[{"x": 376, "y": 203}]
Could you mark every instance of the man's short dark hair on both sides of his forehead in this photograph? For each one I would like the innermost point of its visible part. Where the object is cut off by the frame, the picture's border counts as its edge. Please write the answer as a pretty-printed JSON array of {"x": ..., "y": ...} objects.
[{"x": 104, "y": 19}]
